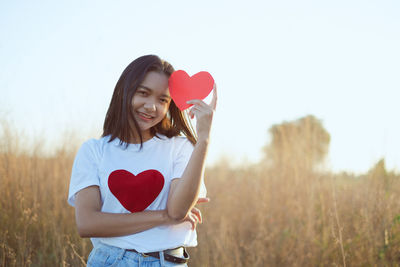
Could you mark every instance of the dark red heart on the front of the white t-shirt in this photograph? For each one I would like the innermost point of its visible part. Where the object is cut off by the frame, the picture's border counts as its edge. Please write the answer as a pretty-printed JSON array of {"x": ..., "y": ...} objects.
[{"x": 135, "y": 192}]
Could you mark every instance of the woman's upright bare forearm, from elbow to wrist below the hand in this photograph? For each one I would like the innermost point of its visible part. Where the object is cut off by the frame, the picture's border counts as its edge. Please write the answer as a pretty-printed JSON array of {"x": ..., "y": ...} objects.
[{"x": 183, "y": 195}]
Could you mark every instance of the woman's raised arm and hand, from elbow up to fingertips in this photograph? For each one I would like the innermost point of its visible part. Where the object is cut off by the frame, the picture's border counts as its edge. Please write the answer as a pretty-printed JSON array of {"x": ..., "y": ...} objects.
[{"x": 184, "y": 192}]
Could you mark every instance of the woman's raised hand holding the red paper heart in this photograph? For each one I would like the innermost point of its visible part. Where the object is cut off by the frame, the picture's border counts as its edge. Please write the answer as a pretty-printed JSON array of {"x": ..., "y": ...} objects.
[{"x": 204, "y": 114}]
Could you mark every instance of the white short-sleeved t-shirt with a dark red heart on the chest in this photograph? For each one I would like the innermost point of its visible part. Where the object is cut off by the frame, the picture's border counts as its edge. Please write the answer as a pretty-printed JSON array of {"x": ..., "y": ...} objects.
[{"x": 133, "y": 180}]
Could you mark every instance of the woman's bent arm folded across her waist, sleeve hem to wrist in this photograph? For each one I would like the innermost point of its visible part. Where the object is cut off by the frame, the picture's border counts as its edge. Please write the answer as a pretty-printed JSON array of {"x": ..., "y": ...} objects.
[{"x": 91, "y": 222}]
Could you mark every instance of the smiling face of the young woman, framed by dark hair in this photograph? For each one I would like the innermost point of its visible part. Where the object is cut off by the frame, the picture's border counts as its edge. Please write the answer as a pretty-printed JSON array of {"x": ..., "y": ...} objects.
[{"x": 151, "y": 102}]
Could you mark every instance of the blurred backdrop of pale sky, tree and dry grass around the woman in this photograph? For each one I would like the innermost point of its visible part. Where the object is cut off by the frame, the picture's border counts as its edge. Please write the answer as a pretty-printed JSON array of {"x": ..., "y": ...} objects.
[{"x": 304, "y": 152}]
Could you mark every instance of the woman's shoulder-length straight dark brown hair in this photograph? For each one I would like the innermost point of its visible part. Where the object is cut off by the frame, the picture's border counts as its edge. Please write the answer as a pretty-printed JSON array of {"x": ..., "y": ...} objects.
[{"x": 120, "y": 110}]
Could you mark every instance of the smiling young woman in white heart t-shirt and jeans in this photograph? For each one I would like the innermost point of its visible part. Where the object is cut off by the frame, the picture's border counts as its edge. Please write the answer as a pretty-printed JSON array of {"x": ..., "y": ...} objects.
[{"x": 135, "y": 189}]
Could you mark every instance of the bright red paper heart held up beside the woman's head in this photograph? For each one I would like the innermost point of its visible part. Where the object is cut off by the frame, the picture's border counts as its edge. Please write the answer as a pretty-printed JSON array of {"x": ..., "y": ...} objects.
[{"x": 182, "y": 87}]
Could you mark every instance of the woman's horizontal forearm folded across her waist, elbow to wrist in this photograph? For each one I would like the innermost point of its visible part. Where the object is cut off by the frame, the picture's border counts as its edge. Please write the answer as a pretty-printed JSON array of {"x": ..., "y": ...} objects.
[{"x": 102, "y": 224}]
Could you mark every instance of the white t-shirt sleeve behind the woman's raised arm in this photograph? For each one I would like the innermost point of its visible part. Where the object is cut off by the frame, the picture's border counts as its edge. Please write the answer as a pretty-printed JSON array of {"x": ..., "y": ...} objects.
[{"x": 181, "y": 160}]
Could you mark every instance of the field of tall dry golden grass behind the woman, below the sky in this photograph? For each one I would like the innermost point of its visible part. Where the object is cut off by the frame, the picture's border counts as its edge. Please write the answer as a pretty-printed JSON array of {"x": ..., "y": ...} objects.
[{"x": 259, "y": 215}]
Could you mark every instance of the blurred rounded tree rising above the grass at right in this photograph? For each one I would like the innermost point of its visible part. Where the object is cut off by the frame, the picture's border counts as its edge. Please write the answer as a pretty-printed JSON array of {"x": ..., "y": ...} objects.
[{"x": 301, "y": 144}]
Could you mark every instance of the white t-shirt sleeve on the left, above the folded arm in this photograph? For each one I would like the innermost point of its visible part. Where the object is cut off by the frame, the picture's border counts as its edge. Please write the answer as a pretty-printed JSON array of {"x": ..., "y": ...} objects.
[{"x": 85, "y": 169}]
